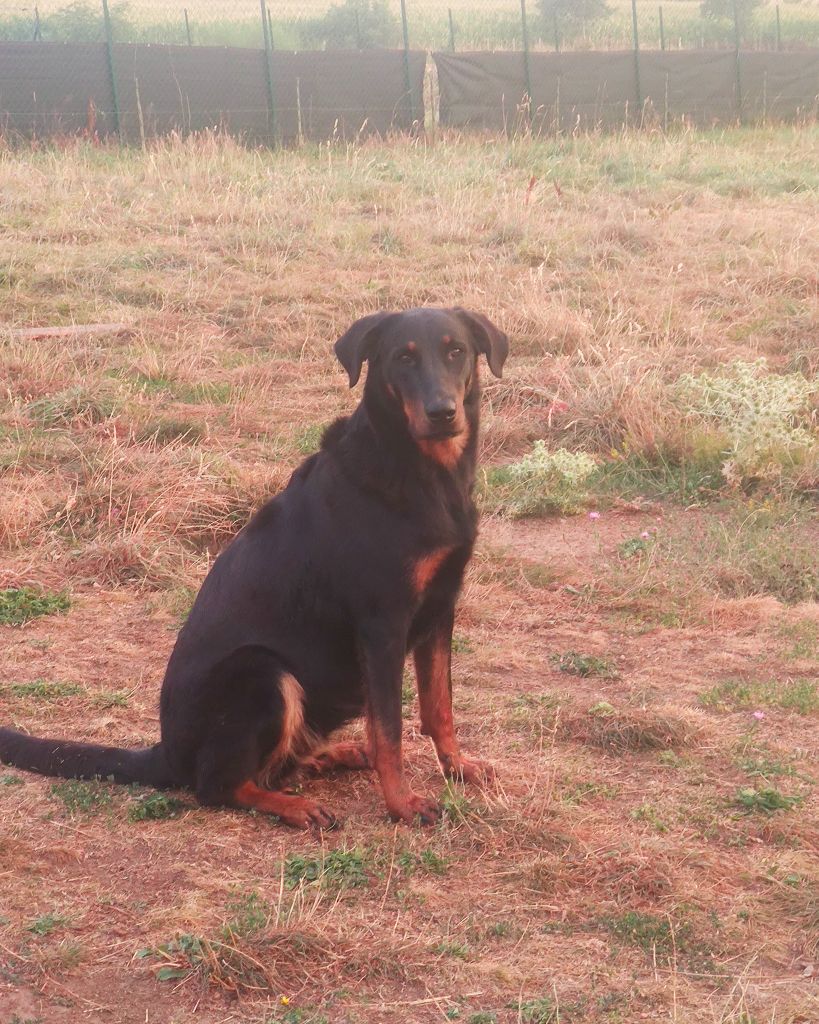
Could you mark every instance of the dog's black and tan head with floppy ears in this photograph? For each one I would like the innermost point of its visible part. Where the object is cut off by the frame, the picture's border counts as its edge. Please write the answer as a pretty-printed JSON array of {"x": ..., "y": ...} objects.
[{"x": 425, "y": 361}]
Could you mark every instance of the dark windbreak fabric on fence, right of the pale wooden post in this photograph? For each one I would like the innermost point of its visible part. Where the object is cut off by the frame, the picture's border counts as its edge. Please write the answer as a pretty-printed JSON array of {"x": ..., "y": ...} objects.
[{"x": 591, "y": 90}]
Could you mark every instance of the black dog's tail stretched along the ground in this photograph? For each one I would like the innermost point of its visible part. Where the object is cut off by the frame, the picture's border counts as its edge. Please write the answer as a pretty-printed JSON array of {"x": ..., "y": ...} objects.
[{"x": 69, "y": 760}]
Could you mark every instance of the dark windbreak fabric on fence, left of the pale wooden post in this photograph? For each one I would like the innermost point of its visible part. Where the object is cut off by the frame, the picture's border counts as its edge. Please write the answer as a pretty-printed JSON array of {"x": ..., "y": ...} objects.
[{"x": 47, "y": 90}]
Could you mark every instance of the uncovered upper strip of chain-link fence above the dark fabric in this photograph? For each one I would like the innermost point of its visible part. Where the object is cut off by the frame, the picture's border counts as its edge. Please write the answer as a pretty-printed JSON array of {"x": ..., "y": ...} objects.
[{"x": 430, "y": 25}]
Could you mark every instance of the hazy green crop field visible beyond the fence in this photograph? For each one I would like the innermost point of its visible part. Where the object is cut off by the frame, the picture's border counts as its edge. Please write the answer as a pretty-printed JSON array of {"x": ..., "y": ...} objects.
[{"x": 479, "y": 25}]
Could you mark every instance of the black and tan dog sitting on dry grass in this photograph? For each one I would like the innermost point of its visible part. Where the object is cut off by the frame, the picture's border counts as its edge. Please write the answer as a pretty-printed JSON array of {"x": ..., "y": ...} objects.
[{"x": 306, "y": 621}]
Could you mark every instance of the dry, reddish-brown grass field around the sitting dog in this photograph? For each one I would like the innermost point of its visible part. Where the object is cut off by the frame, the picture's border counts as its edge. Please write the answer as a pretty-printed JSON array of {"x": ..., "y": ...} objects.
[{"x": 641, "y": 663}]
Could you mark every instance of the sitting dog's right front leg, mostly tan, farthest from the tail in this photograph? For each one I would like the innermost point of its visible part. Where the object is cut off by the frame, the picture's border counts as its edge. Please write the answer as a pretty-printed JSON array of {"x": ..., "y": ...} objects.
[{"x": 434, "y": 658}]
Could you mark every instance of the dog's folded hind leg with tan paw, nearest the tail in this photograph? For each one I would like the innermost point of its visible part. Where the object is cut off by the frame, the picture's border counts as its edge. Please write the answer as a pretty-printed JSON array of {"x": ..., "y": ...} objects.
[{"x": 253, "y": 729}]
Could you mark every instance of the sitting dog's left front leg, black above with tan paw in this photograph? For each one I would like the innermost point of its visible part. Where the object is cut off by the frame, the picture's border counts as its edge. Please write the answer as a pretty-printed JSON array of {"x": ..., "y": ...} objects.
[{"x": 383, "y": 656}]
